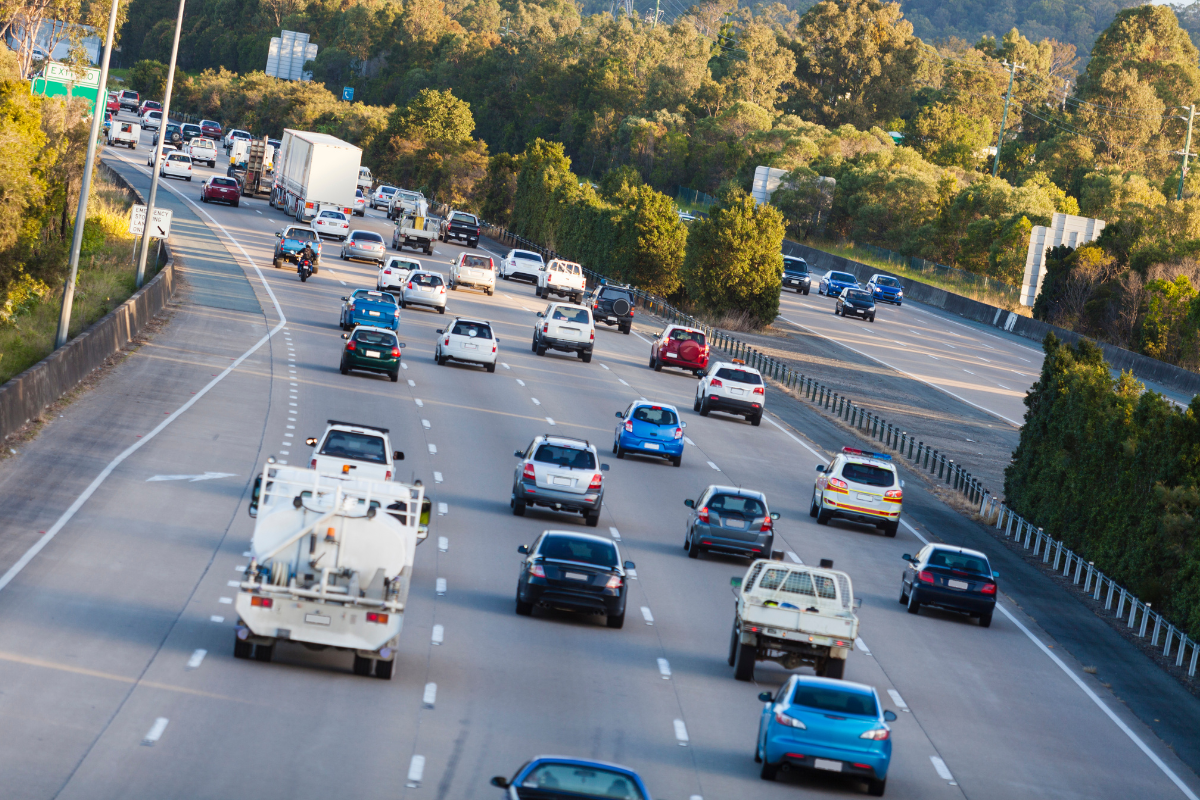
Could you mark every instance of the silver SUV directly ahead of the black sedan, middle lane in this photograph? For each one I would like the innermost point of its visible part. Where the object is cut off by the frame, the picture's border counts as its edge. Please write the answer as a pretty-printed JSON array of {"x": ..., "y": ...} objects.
[{"x": 560, "y": 473}]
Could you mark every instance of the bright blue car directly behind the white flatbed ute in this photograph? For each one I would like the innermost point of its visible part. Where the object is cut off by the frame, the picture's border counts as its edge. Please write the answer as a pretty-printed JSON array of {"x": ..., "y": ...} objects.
[{"x": 823, "y": 724}]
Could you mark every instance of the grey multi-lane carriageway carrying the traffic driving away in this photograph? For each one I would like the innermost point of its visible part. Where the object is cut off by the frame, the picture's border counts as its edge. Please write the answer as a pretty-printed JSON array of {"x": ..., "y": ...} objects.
[{"x": 117, "y": 677}]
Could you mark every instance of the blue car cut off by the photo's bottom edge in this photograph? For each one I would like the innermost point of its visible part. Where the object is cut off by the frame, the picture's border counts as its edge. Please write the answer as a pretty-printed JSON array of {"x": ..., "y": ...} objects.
[{"x": 557, "y": 777}]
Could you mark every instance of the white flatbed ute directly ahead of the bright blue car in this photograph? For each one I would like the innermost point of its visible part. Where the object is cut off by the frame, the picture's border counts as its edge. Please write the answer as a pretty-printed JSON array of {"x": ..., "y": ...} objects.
[{"x": 793, "y": 615}]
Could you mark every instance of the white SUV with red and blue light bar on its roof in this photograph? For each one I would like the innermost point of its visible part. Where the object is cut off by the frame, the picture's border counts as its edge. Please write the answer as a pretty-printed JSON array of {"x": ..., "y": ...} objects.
[{"x": 860, "y": 486}]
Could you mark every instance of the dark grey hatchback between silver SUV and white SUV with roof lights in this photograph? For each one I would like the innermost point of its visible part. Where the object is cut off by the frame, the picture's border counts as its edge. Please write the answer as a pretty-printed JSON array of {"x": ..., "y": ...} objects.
[{"x": 731, "y": 521}]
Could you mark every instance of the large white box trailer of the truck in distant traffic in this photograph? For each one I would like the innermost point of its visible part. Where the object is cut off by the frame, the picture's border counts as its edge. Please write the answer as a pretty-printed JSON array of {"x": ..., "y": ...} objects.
[{"x": 314, "y": 171}]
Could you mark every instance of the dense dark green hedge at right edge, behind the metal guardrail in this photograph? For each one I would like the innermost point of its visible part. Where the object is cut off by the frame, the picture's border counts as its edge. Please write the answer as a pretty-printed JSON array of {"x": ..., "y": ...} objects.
[{"x": 1113, "y": 471}]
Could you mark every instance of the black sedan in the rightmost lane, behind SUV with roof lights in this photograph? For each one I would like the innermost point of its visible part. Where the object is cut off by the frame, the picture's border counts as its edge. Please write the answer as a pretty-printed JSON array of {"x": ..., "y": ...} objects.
[{"x": 950, "y": 578}]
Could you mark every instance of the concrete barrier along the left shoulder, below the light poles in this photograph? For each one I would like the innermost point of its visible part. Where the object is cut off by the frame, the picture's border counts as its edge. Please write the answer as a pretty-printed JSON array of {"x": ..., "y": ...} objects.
[{"x": 25, "y": 396}]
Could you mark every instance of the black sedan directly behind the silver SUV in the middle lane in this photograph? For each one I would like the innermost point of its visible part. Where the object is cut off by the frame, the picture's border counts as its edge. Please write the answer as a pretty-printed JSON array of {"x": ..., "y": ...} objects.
[{"x": 577, "y": 573}]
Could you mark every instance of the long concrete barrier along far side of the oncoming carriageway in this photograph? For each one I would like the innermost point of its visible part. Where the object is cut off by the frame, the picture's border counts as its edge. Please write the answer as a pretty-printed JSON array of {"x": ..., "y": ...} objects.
[{"x": 1143, "y": 368}]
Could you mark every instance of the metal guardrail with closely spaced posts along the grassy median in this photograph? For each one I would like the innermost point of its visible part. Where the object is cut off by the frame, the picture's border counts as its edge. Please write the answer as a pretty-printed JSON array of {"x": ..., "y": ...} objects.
[{"x": 920, "y": 456}]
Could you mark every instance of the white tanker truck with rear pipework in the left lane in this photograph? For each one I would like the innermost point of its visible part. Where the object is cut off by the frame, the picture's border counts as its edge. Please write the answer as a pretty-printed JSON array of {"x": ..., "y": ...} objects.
[{"x": 332, "y": 561}]
